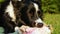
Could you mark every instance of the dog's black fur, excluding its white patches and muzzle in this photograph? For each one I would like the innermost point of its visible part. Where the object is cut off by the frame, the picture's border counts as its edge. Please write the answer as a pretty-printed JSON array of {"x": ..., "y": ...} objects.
[{"x": 24, "y": 11}]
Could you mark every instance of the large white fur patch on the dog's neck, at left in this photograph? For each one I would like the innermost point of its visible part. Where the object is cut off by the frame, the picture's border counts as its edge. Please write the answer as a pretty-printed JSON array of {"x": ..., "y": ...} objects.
[{"x": 10, "y": 11}]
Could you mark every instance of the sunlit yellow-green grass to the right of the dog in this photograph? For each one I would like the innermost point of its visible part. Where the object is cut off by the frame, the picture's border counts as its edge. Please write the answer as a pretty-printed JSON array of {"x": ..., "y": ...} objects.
[{"x": 54, "y": 20}]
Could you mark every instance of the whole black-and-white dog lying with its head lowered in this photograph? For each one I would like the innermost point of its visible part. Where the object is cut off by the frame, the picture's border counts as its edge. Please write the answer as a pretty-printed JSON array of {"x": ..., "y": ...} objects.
[{"x": 19, "y": 12}]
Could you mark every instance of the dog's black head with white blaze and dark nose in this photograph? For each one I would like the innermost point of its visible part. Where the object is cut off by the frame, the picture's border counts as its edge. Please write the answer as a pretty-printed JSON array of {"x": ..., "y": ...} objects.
[{"x": 31, "y": 14}]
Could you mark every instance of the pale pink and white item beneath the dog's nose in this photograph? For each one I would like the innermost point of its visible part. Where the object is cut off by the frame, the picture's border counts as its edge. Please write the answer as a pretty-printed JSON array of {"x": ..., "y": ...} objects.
[{"x": 43, "y": 30}]
